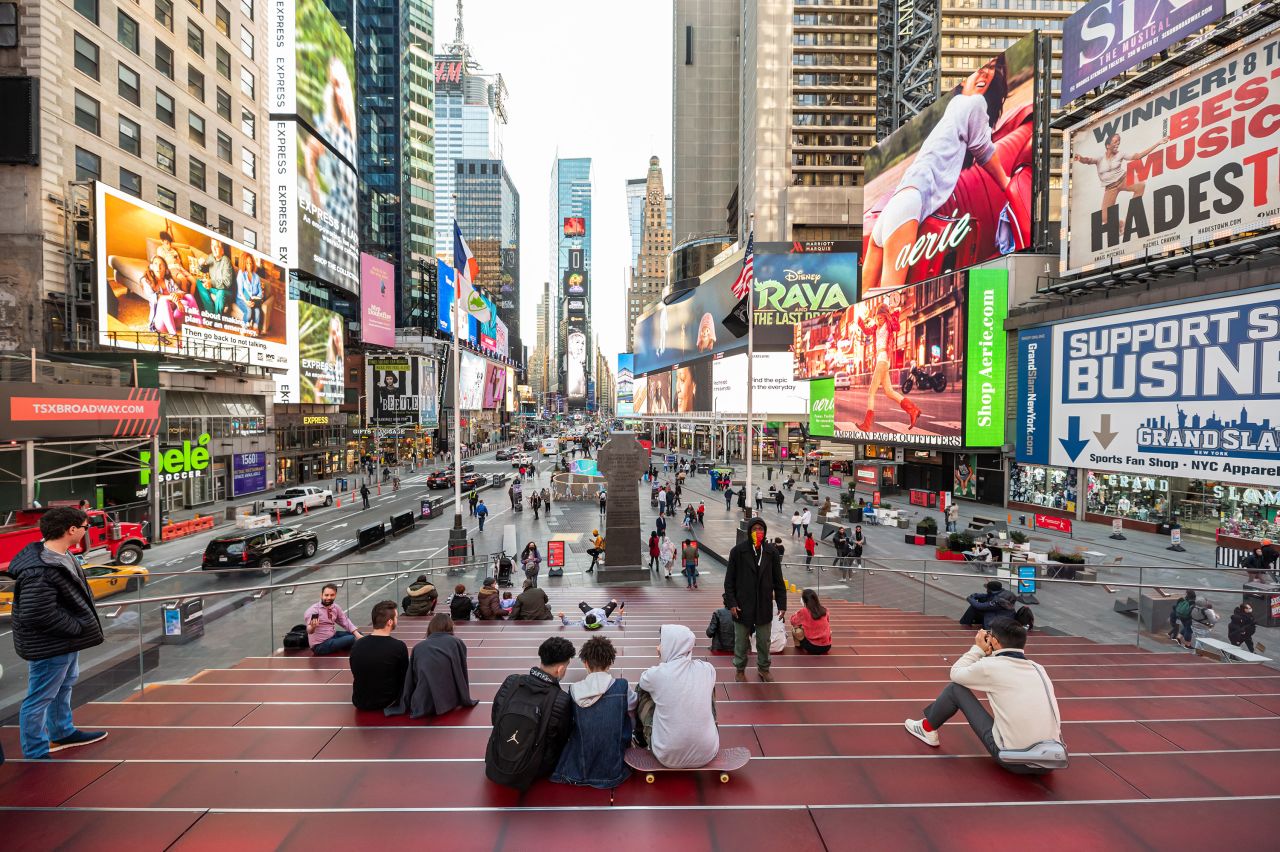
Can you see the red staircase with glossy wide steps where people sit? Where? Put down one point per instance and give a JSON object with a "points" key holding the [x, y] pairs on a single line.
{"points": [[271, 754]]}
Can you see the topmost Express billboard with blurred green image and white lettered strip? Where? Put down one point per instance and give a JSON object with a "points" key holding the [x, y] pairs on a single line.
{"points": [[313, 67]]}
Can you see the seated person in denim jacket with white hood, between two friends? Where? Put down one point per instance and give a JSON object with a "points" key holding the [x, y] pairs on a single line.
{"points": [[602, 722]]}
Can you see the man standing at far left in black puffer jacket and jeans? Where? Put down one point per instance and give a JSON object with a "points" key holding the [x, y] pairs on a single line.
{"points": [[54, 619]]}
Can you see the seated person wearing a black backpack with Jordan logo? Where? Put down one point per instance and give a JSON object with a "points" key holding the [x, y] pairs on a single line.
{"points": [[533, 720]]}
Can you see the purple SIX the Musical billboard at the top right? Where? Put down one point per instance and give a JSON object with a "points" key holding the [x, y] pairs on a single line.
{"points": [[1108, 38]]}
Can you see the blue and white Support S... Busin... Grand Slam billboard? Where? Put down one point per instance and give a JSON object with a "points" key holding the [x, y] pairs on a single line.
{"points": [[1186, 390]]}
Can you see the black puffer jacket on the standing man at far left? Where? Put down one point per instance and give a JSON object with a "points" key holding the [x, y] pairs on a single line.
{"points": [[53, 612]]}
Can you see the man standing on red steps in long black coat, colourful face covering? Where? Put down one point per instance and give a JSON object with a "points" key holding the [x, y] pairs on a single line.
{"points": [[753, 584]]}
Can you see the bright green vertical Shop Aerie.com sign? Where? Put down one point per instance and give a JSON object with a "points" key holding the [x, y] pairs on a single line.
{"points": [[985, 388]]}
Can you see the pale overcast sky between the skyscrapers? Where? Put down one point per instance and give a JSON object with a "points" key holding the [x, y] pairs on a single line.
{"points": [[591, 80]]}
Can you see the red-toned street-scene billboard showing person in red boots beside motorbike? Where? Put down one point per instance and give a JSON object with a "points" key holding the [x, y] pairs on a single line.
{"points": [[898, 361]]}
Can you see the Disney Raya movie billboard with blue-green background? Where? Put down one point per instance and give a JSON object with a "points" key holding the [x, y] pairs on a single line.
{"points": [[796, 282]]}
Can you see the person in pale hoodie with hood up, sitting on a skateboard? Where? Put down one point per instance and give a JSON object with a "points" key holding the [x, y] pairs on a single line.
{"points": [[678, 703]]}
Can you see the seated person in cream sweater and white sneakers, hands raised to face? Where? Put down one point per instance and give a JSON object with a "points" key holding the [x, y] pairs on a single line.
{"points": [[1025, 714]]}
